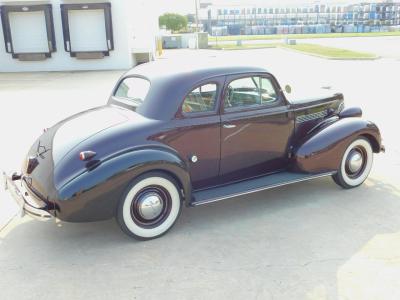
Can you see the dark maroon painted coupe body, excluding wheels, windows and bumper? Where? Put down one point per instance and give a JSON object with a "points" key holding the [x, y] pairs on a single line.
{"points": [[303, 138]]}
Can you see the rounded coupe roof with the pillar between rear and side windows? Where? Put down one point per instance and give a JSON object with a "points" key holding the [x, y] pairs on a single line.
{"points": [[171, 81]]}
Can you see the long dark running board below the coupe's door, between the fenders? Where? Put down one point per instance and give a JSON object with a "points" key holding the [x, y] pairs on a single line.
{"points": [[251, 186]]}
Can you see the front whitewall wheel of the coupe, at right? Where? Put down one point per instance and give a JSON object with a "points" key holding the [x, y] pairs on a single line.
{"points": [[355, 165]]}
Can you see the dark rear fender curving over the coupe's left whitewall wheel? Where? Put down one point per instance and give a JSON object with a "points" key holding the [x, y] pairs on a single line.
{"points": [[94, 194]]}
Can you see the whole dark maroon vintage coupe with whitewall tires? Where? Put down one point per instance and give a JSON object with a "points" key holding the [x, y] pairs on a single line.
{"points": [[172, 137]]}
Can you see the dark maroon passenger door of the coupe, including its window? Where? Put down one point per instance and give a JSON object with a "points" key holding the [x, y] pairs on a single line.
{"points": [[256, 125]]}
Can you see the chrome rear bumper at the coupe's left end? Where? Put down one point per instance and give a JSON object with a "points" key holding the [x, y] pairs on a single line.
{"points": [[28, 204]]}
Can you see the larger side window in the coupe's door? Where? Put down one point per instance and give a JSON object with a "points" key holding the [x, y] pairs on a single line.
{"points": [[248, 92]]}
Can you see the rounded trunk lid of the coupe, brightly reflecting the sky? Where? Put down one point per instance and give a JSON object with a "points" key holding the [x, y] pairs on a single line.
{"points": [[56, 142]]}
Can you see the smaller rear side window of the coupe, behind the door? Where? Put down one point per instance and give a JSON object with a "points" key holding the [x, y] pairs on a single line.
{"points": [[201, 99]]}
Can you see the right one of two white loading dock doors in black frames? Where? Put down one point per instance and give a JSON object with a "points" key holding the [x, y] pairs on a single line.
{"points": [[87, 30]]}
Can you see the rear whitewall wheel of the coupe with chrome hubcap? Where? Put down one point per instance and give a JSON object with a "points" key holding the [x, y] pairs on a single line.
{"points": [[150, 206]]}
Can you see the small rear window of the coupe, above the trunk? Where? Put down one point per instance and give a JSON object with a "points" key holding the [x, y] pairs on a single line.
{"points": [[132, 90]]}
